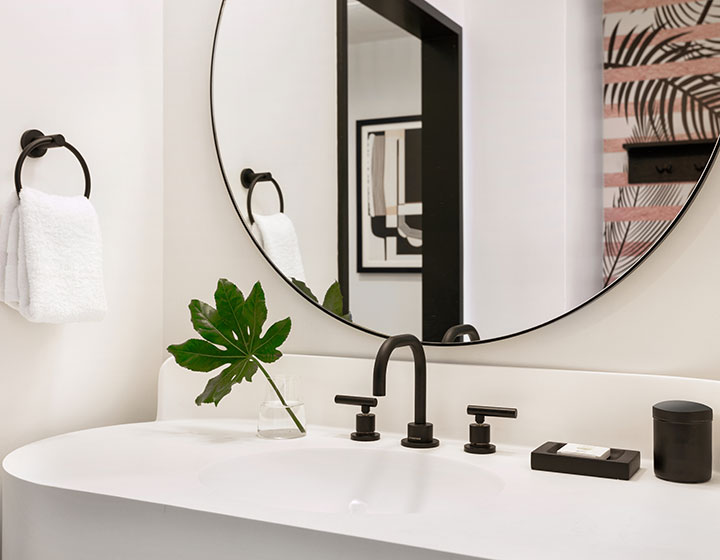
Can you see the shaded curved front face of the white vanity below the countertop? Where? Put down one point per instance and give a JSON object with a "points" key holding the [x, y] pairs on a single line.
{"points": [[47, 523]]}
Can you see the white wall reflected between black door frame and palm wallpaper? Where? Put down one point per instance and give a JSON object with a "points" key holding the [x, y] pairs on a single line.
{"points": [[533, 196]]}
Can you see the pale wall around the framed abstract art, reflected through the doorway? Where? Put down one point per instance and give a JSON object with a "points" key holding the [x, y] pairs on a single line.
{"points": [[384, 80]]}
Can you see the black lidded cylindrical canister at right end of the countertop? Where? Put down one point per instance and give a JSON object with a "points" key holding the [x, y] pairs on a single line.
{"points": [[682, 434]]}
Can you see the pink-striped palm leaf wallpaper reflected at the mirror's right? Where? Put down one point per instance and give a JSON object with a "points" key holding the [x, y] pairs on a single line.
{"points": [[661, 77]]}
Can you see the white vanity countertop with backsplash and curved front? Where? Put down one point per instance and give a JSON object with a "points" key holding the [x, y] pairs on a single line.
{"points": [[208, 487]]}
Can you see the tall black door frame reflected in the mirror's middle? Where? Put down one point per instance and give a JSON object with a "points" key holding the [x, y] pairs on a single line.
{"points": [[441, 108]]}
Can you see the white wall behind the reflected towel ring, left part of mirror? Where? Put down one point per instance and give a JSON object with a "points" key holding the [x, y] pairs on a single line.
{"points": [[296, 136]]}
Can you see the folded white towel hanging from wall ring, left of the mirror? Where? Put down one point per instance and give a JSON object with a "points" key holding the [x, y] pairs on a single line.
{"points": [[54, 272]]}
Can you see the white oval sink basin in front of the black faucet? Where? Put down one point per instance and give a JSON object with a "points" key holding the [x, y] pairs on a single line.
{"points": [[353, 481]]}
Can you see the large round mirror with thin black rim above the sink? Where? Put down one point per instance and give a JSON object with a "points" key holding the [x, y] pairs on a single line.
{"points": [[457, 168]]}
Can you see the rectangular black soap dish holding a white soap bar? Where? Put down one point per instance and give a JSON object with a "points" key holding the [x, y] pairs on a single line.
{"points": [[622, 463]]}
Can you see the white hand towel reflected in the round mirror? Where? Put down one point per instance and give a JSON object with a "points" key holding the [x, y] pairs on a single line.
{"points": [[276, 235]]}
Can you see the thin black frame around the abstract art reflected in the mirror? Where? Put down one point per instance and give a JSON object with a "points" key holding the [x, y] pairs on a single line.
{"points": [[359, 184]]}
